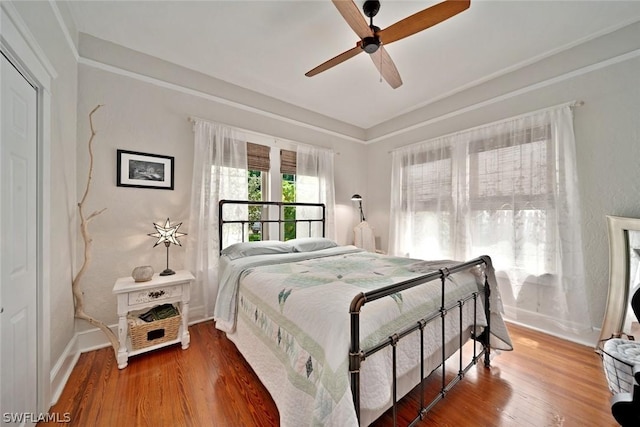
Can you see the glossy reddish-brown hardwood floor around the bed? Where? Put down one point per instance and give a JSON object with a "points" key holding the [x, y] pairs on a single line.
{"points": [[544, 382]]}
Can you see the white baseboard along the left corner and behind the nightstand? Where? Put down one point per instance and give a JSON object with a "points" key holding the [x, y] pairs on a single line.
{"points": [[90, 340]]}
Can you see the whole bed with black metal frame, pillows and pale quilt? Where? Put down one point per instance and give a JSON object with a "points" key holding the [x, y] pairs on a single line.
{"points": [[337, 334]]}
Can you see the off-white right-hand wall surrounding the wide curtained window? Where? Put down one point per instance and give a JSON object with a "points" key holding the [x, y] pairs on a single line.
{"points": [[605, 74]]}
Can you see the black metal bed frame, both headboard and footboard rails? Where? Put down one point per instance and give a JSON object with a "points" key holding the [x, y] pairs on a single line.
{"points": [[357, 355]]}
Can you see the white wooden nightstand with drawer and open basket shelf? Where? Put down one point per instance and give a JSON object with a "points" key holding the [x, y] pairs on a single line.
{"points": [[141, 295]]}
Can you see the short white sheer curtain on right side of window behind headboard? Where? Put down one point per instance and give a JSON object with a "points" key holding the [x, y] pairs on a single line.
{"points": [[314, 184]]}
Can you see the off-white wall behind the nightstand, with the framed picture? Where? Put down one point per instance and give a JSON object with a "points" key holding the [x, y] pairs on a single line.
{"points": [[143, 114]]}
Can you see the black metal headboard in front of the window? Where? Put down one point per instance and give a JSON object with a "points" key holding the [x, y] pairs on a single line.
{"points": [[272, 215]]}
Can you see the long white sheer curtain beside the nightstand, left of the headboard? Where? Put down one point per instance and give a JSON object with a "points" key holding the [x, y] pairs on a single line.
{"points": [[219, 172]]}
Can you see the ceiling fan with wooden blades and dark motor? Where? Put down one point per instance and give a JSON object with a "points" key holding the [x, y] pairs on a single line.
{"points": [[373, 39]]}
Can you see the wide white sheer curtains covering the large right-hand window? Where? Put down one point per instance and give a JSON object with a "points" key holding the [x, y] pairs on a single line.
{"points": [[508, 190]]}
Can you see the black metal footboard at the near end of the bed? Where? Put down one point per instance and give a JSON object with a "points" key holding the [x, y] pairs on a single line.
{"points": [[357, 355]]}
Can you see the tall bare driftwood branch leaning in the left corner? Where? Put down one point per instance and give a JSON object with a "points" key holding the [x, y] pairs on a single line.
{"points": [[78, 296]]}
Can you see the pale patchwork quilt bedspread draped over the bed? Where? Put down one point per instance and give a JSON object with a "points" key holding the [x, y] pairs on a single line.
{"points": [[299, 311]]}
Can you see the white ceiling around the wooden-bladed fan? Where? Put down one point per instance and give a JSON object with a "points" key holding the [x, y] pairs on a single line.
{"points": [[267, 46]]}
